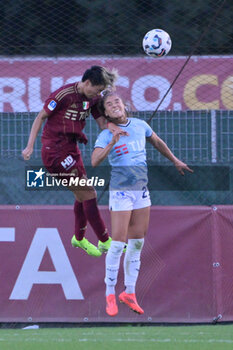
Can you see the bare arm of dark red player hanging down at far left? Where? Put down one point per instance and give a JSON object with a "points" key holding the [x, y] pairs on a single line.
{"points": [[36, 126]]}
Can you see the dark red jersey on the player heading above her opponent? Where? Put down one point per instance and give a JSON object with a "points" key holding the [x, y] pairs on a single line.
{"points": [[67, 110]]}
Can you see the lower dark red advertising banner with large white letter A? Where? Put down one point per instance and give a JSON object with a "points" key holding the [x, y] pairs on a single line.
{"points": [[186, 271]]}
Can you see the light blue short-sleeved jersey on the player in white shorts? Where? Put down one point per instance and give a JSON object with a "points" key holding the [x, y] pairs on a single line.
{"points": [[128, 155]]}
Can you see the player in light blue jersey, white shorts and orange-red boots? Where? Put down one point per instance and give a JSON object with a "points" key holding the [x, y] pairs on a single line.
{"points": [[129, 199]]}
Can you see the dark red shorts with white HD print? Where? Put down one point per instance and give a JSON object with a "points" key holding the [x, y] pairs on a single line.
{"points": [[60, 162]]}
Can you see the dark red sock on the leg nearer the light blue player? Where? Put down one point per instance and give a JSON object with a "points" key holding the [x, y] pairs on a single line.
{"points": [[95, 220]]}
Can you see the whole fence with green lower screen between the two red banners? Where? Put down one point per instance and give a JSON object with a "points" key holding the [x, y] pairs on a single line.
{"points": [[203, 139]]}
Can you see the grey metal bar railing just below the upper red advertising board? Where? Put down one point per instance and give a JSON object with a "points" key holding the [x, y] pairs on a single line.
{"points": [[203, 137]]}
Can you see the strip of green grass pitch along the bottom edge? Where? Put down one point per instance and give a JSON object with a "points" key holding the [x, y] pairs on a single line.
{"points": [[196, 337]]}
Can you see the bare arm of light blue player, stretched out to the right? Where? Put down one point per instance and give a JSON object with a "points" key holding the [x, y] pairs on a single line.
{"points": [[162, 147]]}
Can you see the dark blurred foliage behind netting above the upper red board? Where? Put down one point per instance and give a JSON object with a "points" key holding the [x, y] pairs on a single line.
{"points": [[86, 27]]}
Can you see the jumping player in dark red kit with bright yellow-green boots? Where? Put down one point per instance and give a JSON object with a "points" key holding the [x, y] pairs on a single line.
{"points": [[65, 112]]}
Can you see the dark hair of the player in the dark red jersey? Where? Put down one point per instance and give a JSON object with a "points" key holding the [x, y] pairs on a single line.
{"points": [[100, 76]]}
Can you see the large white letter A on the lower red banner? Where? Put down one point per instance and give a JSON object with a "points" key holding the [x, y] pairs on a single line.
{"points": [[46, 238]]}
